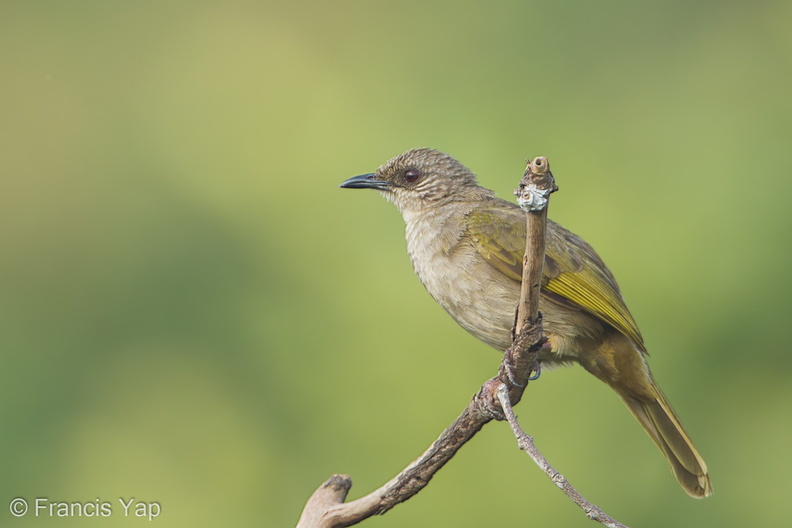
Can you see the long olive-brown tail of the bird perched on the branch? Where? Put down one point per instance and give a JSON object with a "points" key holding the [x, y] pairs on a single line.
{"points": [[664, 427]]}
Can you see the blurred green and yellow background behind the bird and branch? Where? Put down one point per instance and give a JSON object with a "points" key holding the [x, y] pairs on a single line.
{"points": [[192, 312]]}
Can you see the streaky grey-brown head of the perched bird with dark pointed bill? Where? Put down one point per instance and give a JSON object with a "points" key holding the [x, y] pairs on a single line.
{"points": [[420, 179]]}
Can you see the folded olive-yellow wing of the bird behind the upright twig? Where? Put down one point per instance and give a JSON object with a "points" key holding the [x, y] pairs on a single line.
{"points": [[571, 269]]}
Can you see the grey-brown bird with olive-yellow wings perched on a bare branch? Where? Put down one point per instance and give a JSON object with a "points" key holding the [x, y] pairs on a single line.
{"points": [[467, 246]]}
